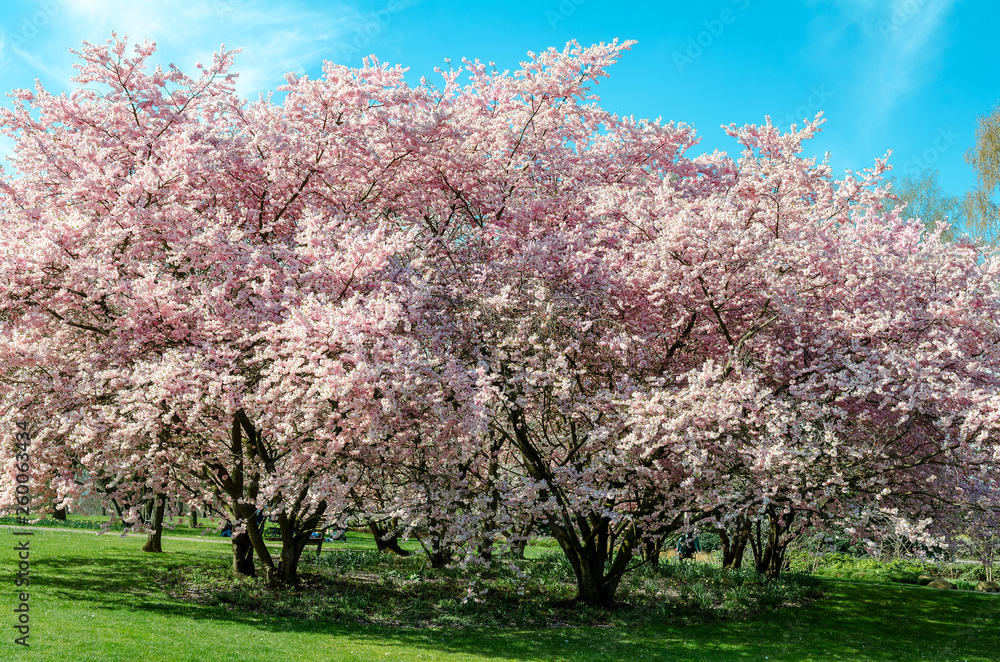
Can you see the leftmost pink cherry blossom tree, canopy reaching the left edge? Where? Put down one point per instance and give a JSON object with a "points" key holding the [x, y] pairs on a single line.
{"points": [[144, 251]]}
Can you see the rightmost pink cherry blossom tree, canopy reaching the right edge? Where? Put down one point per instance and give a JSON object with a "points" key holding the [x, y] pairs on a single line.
{"points": [[849, 350]]}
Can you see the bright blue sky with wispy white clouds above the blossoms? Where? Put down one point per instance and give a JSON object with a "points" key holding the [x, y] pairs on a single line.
{"points": [[911, 76]]}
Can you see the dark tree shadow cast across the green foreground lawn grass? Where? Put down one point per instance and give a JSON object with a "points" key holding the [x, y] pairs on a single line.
{"points": [[856, 620]]}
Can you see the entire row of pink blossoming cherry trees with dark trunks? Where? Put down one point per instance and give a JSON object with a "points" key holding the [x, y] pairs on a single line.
{"points": [[456, 311]]}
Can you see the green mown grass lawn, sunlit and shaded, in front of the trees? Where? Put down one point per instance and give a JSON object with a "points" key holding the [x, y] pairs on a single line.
{"points": [[98, 598]]}
